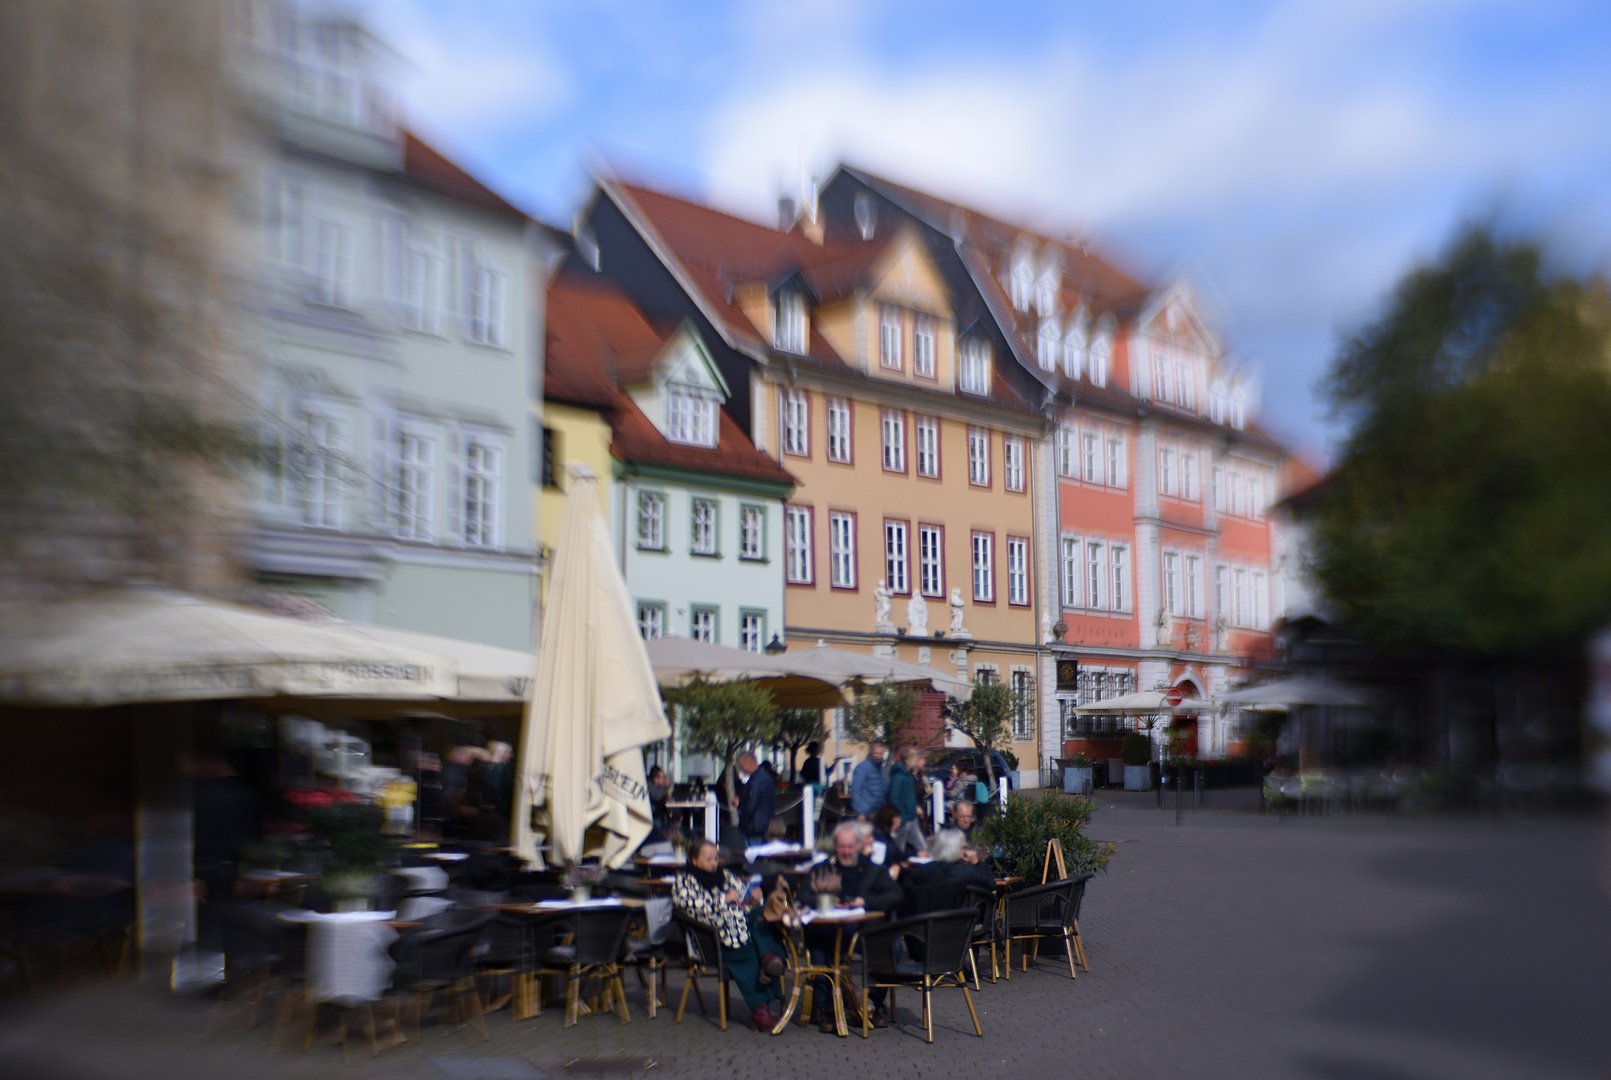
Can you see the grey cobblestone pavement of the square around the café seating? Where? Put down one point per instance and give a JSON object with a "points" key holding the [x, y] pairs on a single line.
{"points": [[1238, 945]]}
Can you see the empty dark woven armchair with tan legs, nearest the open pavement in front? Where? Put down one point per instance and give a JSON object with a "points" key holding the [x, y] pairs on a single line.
{"points": [[924, 952]]}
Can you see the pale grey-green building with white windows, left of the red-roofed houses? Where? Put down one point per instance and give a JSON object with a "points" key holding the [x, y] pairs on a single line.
{"points": [[402, 351]]}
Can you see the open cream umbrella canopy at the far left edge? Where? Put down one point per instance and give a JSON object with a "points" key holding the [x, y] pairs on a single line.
{"points": [[139, 644]]}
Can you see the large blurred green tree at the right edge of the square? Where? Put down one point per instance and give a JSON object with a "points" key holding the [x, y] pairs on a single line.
{"points": [[1472, 505]]}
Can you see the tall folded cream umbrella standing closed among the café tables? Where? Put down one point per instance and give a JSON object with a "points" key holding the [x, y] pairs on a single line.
{"points": [[595, 702]]}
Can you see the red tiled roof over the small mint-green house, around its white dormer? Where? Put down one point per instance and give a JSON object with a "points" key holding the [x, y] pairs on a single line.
{"points": [[598, 339]]}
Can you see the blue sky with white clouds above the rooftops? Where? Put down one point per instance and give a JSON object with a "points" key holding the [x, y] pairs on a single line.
{"points": [[1290, 160]]}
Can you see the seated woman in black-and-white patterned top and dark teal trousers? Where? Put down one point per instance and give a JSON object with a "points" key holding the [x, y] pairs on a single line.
{"points": [[750, 947]]}
